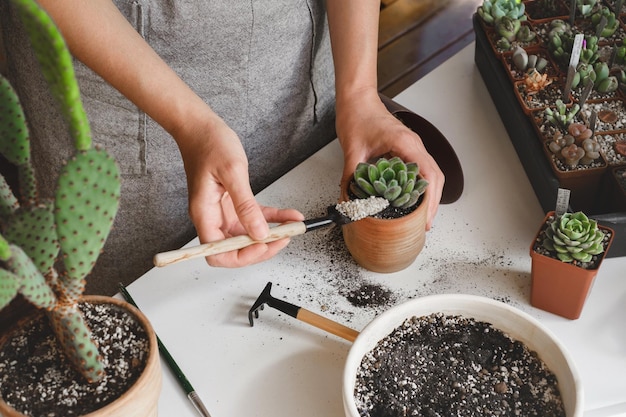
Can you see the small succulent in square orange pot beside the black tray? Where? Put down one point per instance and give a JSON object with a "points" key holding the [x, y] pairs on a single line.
{"points": [[566, 255]]}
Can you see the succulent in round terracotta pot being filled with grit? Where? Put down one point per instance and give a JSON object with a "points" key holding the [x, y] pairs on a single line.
{"points": [[390, 241]]}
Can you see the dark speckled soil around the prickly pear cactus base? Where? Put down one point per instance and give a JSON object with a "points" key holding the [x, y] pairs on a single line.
{"points": [[37, 380]]}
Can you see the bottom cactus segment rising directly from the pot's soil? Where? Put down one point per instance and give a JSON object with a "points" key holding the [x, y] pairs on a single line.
{"points": [[75, 337]]}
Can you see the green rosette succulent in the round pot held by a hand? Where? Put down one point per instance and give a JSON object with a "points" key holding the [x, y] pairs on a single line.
{"points": [[392, 179]]}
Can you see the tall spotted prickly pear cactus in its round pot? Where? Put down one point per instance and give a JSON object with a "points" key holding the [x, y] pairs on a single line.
{"points": [[48, 246]]}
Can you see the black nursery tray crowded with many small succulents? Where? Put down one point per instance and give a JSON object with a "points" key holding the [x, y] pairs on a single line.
{"points": [[566, 118]]}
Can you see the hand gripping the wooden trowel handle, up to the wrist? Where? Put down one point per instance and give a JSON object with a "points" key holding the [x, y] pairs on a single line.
{"points": [[221, 203]]}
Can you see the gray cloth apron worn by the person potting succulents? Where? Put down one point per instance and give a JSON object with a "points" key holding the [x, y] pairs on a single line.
{"points": [[264, 66]]}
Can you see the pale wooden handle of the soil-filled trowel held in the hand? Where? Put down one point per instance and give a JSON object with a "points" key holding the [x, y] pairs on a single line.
{"points": [[227, 245]]}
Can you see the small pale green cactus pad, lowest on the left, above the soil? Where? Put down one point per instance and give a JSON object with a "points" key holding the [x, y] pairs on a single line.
{"points": [[32, 284]]}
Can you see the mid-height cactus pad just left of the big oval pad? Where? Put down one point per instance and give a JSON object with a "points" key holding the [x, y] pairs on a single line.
{"points": [[33, 230]]}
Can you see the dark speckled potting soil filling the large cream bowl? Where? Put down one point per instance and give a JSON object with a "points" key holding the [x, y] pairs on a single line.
{"points": [[441, 365]]}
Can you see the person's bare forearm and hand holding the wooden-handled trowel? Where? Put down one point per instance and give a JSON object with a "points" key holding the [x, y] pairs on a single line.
{"points": [[221, 202]]}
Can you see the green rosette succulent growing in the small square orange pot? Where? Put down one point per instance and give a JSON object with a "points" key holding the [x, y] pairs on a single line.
{"points": [[574, 237]]}
